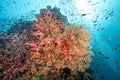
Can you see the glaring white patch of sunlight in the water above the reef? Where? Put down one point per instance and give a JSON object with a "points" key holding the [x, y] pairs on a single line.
{"points": [[86, 9]]}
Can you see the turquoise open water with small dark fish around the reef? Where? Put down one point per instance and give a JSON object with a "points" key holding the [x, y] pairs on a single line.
{"points": [[101, 17]]}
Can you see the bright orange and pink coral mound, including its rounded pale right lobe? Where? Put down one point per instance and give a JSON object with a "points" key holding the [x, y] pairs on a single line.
{"points": [[57, 47]]}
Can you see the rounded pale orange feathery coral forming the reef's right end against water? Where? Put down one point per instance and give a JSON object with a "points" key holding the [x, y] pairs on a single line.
{"points": [[78, 49]]}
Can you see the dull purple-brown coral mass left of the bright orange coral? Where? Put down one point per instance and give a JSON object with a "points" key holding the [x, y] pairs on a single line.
{"points": [[13, 52]]}
